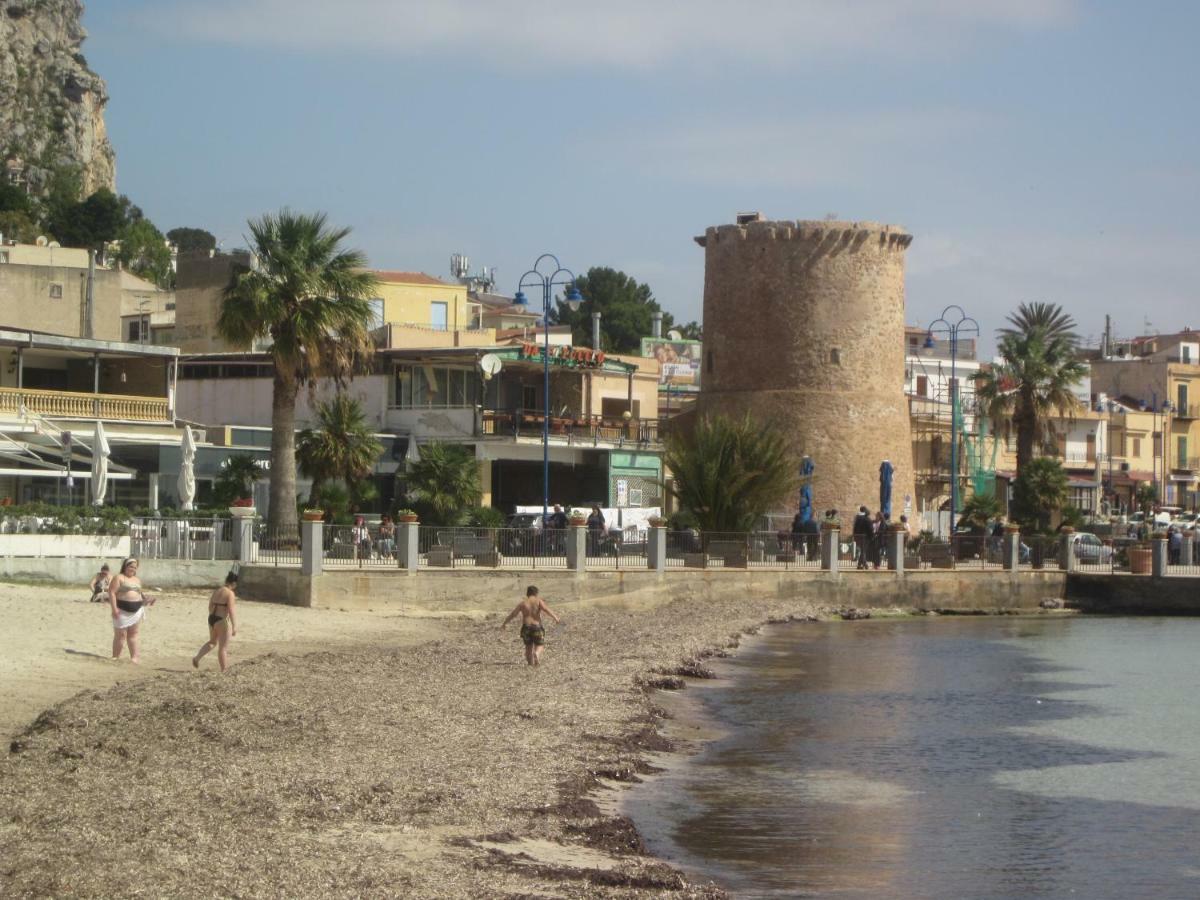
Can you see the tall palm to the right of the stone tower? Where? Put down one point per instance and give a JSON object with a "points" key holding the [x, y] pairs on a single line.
{"points": [[1034, 381]]}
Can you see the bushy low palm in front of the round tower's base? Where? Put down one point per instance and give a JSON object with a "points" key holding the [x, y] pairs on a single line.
{"points": [[728, 473]]}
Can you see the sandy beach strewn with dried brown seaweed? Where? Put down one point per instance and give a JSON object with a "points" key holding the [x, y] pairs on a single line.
{"points": [[392, 766]]}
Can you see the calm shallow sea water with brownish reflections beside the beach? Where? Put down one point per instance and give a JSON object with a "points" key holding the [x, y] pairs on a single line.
{"points": [[951, 758]]}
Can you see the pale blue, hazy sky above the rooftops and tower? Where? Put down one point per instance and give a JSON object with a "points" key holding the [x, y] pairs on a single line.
{"points": [[1036, 149]]}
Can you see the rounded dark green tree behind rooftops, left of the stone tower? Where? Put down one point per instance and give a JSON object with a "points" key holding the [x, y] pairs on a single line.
{"points": [[626, 311]]}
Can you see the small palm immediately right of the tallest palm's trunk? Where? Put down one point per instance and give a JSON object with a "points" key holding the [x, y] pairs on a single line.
{"points": [[343, 448]]}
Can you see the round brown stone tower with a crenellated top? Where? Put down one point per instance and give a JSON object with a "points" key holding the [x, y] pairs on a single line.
{"points": [[805, 331]]}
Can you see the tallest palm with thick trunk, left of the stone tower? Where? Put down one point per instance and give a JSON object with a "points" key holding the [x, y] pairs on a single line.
{"points": [[309, 297]]}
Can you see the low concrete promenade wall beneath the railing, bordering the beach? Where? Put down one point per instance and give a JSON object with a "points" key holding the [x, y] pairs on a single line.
{"points": [[476, 592]]}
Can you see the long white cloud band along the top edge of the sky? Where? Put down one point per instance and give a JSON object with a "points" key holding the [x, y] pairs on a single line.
{"points": [[643, 34]]}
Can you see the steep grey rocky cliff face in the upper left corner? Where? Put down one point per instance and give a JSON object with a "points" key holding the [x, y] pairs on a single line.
{"points": [[52, 106]]}
